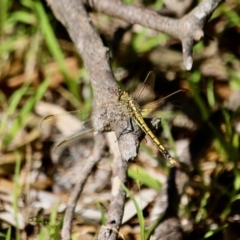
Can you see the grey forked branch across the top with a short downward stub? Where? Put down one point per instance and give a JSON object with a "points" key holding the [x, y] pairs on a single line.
{"points": [[188, 29]]}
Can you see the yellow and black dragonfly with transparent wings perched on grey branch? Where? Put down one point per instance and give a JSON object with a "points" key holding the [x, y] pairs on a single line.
{"points": [[133, 106]]}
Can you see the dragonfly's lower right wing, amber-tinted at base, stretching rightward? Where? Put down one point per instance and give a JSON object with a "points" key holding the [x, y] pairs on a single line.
{"points": [[152, 109]]}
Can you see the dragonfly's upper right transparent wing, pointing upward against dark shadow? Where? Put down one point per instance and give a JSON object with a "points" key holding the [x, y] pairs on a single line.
{"points": [[144, 93]]}
